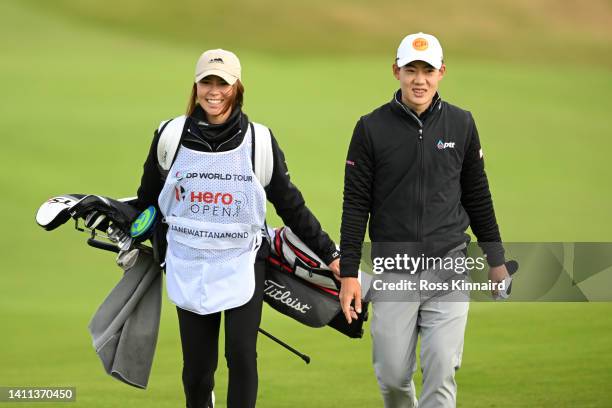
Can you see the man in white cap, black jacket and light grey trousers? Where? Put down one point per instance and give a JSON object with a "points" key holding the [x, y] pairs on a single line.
{"points": [[415, 170]]}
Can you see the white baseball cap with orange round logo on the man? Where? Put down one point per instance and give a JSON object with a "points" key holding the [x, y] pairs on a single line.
{"points": [[420, 47]]}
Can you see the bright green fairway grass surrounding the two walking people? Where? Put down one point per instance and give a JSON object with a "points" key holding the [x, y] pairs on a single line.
{"points": [[74, 91]]}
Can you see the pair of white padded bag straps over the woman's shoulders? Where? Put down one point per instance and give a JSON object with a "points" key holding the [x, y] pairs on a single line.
{"points": [[171, 131]]}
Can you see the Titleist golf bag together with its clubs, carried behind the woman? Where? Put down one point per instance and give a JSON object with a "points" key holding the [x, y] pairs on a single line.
{"points": [[298, 283]]}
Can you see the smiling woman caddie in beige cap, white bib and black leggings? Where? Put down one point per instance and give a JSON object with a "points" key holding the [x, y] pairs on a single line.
{"points": [[215, 255]]}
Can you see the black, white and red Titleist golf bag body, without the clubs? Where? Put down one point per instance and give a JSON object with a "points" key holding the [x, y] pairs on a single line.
{"points": [[298, 284]]}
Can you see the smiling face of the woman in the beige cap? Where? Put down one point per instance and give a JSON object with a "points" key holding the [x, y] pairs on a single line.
{"points": [[214, 95]]}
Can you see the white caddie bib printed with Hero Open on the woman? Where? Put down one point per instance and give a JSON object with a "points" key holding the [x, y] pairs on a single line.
{"points": [[215, 209]]}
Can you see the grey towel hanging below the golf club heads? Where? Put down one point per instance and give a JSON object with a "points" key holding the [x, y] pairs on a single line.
{"points": [[124, 329]]}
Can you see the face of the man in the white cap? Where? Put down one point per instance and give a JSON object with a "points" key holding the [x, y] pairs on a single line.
{"points": [[419, 83]]}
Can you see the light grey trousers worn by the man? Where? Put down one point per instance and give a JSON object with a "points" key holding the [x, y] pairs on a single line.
{"points": [[395, 328]]}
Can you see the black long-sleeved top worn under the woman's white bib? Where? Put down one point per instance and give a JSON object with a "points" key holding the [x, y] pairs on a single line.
{"points": [[281, 192]]}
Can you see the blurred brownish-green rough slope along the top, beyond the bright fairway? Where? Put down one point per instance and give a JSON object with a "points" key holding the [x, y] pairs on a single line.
{"points": [[507, 30]]}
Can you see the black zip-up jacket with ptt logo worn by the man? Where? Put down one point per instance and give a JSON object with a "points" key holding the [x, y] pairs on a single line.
{"points": [[418, 179]]}
